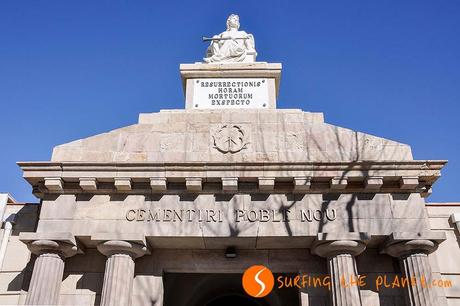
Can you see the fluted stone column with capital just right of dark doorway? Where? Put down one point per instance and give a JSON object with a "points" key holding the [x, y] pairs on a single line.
{"points": [[340, 253]]}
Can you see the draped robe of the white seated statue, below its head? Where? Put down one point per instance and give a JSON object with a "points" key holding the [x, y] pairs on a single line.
{"points": [[232, 50]]}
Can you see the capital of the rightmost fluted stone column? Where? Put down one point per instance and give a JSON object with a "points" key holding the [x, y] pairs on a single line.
{"points": [[400, 244]]}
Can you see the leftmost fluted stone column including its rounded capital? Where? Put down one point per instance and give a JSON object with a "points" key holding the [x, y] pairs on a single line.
{"points": [[45, 284]]}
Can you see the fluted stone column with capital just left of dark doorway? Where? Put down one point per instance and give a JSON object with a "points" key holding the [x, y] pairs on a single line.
{"points": [[119, 270]]}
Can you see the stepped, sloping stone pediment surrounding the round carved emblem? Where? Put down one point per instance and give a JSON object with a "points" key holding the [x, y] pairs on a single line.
{"points": [[292, 134]]}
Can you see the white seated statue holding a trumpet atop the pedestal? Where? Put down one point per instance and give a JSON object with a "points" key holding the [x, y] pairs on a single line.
{"points": [[232, 45]]}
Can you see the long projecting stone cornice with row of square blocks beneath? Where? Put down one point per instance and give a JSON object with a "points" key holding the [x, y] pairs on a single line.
{"points": [[344, 177]]}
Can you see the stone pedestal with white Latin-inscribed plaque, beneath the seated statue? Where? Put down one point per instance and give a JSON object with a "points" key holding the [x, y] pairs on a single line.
{"points": [[230, 85]]}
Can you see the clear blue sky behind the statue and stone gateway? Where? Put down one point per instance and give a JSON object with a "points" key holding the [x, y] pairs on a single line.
{"points": [[71, 69]]}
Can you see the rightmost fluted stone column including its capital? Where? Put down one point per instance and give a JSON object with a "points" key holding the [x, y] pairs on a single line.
{"points": [[412, 251]]}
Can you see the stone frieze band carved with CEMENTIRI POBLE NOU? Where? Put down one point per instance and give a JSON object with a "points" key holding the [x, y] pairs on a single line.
{"points": [[260, 216]]}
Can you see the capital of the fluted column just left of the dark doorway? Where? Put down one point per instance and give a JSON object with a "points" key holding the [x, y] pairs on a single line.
{"points": [[109, 244]]}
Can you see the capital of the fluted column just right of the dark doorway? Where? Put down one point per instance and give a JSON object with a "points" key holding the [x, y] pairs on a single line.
{"points": [[331, 244]]}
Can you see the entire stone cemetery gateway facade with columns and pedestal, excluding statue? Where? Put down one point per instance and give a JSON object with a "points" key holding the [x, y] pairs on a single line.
{"points": [[173, 209]]}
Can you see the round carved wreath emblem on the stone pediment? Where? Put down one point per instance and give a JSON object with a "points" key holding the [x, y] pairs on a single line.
{"points": [[230, 138]]}
